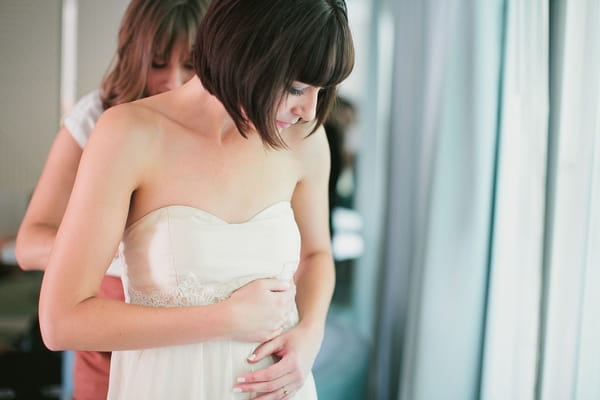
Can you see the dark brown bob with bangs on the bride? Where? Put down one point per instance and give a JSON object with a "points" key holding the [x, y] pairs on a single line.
{"points": [[249, 52]]}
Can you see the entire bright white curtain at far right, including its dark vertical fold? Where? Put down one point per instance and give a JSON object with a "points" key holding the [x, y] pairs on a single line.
{"points": [[543, 325]]}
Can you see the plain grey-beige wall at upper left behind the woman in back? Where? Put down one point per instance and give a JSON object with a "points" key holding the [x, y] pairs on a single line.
{"points": [[30, 49]]}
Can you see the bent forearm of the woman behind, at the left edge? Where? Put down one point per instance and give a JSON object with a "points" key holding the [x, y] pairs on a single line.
{"points": [[33, 246]]}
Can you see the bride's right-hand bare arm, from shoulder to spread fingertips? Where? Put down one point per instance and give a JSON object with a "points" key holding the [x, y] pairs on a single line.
{"points": [[315, 278]]}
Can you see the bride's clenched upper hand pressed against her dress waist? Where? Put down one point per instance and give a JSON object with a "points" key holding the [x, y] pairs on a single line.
{"points": [[260, 309]]}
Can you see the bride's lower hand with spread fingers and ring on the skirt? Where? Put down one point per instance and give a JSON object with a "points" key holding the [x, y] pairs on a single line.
{"points": [[296, 350]]}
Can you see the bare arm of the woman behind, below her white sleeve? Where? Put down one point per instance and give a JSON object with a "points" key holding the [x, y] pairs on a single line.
{"points": [[48, 203]]}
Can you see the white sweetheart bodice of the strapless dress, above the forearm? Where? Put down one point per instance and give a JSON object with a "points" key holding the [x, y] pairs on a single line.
{"points": [[181, 255]]}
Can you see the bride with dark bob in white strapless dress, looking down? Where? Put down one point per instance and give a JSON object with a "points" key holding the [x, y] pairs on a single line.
{"points": [[214, 188]]}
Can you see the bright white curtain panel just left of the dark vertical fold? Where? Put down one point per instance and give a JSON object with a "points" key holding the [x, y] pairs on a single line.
{"points": [[511, 336]]}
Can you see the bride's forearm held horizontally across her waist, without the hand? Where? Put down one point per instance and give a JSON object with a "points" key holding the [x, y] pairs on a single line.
{"points": [[108, 325]]}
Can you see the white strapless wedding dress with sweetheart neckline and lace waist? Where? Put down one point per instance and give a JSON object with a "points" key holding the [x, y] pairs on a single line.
{"points": [[183, 256]]}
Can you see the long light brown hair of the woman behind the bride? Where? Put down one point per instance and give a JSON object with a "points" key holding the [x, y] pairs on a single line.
{"points": [[149, 28]]}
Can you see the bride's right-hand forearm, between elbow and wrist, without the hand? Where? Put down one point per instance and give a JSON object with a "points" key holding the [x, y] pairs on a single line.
{"points": [[315, 282]]}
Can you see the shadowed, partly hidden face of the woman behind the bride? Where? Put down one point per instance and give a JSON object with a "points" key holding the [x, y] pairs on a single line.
{"points": [[170, 72]]}
